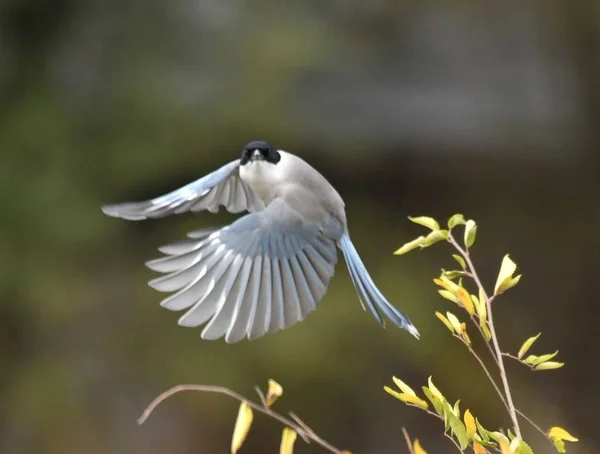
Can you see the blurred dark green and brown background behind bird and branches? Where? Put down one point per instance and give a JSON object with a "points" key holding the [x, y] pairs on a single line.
{"points": [[491, 109]]}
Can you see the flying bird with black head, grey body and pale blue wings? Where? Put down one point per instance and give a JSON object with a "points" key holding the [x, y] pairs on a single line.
{"points": [[269, 268]]}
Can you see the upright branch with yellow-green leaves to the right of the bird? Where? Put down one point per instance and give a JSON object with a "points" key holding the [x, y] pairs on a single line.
{"points": [[454, 286]]}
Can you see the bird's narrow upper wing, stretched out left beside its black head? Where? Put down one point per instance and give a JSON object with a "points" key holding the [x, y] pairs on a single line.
{"points": [[221, 187]]}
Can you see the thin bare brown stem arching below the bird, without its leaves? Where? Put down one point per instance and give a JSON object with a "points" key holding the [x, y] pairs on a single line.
{"points": [[303, 432]]}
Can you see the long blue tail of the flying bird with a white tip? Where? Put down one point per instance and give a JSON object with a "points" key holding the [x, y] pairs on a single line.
{"points": [[368, 293]]}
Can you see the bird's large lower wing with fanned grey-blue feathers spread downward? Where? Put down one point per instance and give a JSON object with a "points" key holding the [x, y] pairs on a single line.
{"points": [[264, 272]]}
